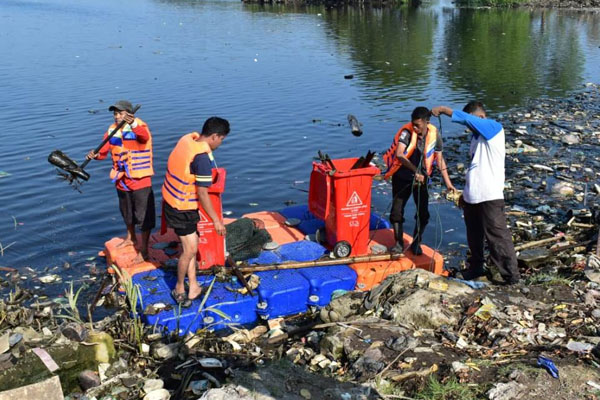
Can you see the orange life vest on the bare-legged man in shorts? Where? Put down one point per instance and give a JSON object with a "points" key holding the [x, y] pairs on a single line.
{"points": [[179, 188]]}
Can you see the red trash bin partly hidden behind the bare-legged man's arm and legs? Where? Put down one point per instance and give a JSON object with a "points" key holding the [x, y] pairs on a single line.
{"points": [[211, 246]]}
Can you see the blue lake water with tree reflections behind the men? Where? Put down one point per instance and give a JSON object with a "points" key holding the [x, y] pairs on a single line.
{"points": [[277, 73]]}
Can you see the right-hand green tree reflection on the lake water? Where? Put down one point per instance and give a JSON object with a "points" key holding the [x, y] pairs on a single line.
{"points": [[507, 56]]}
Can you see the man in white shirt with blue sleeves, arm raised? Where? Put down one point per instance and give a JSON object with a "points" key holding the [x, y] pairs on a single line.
{"points": [[483, 197]]}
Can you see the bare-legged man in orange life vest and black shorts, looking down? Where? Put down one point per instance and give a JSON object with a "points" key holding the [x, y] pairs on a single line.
{"points": [[185, 189]]}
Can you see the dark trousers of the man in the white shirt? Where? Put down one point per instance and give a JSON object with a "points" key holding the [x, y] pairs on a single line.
{"points": [[486, 221]]}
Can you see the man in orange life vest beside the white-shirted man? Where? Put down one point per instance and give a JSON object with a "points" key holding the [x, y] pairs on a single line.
{"points": [[416, 147]]}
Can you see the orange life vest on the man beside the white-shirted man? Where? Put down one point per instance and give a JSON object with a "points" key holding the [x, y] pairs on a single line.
{"points": [[393, 163]]}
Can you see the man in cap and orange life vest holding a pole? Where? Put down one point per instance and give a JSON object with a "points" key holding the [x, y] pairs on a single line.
{"points": [[131, 150]]}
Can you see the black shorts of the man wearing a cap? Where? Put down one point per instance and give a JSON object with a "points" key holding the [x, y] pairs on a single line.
{"points": [[137, 208]]}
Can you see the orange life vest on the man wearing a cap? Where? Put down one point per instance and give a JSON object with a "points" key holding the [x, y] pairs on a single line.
{"points": [[130, 157]]}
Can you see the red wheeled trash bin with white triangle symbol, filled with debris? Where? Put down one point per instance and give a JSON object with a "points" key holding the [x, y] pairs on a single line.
{"points": [[342, 198]]}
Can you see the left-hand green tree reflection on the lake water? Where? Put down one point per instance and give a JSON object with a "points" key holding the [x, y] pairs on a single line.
{"points": [[393, 46]]}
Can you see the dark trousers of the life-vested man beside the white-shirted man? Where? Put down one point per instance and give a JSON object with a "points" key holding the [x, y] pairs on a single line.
{"points": [[401, 190]]}
